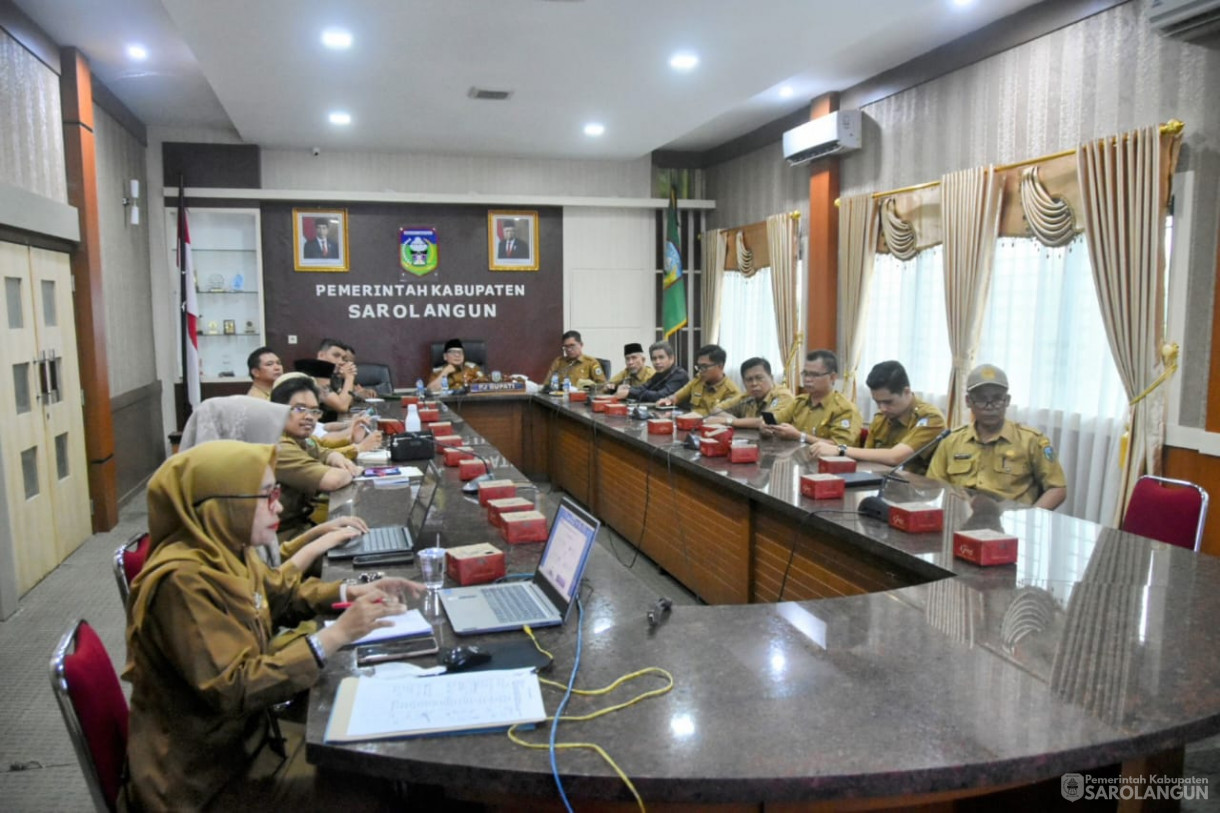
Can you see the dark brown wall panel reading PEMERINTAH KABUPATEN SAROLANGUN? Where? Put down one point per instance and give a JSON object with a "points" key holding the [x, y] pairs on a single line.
{"points": [[523, 334]]}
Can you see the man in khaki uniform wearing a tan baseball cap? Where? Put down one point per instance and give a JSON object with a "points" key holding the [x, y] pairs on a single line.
{"points": [[997, 456]]}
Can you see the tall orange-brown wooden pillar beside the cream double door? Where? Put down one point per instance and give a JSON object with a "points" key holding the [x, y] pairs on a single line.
{"points": [[80, 148]]}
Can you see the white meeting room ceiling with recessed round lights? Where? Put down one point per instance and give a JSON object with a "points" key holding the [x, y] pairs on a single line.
{"points": [[259, 67]]}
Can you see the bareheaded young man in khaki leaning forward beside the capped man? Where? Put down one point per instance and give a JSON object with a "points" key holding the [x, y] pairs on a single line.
{"points": [[902, 427]]}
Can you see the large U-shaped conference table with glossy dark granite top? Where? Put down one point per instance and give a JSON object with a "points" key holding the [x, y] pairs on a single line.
{"points": [[833, 660]]}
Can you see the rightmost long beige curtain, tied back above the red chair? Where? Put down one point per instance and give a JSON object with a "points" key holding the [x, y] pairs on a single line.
{"points": [[1124, 184]]}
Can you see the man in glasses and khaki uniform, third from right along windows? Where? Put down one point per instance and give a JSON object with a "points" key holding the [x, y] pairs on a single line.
{"points": [[820, 412]]}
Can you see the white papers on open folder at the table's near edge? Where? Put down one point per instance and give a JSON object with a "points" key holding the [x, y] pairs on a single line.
{"points": [[367, 709]]}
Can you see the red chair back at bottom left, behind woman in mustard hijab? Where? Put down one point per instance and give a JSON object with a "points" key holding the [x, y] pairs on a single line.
{"points": [[95, 710]]}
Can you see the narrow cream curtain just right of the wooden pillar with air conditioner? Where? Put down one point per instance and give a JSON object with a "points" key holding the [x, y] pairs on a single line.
{"points": [[858, 251]]}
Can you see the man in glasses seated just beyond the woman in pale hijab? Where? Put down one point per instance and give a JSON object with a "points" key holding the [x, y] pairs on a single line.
{"points": [[303, 468]]}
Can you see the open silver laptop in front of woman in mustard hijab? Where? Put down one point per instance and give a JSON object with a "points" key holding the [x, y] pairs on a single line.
{"points": [[546, 600]]}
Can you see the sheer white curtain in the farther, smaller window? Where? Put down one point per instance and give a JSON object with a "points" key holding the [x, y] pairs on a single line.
{"points": [[747, 322]]}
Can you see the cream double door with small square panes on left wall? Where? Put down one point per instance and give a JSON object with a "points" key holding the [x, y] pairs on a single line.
{"points": [[42, 422]]}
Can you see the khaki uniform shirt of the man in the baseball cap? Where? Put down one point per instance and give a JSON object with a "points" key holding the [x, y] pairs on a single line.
{"points": [[1019, 466]]}
